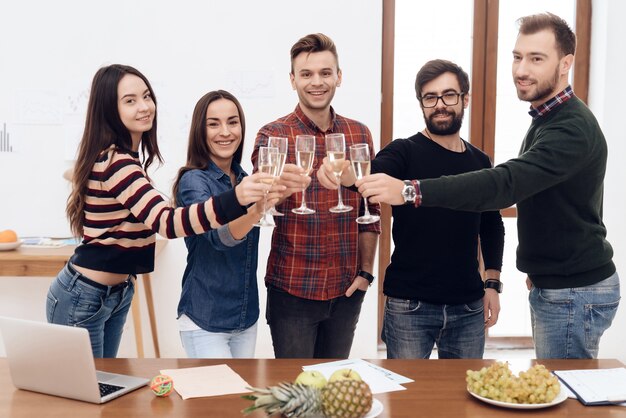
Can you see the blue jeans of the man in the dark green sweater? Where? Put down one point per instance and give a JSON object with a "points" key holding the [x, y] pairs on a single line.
{"points": [[568, 323]]}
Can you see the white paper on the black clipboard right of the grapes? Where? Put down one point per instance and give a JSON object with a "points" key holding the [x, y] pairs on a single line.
{"points": [[596, 385]]}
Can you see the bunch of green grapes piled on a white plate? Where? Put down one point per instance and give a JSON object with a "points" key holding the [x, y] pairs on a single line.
{"points": [[497, 382]]}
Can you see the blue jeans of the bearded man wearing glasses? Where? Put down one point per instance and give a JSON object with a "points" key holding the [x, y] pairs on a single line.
{"points": [[412, 327]]}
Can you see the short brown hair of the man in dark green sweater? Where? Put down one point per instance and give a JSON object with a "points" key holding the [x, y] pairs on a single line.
{"points": [[565, 37]]}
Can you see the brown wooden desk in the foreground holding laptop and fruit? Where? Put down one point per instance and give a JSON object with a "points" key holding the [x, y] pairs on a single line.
{"points": [[438, 391]]}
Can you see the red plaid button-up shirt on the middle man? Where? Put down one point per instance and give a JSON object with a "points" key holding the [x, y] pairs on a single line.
{"points": [[315, 256]]}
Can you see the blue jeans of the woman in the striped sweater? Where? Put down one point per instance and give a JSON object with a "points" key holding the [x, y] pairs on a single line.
{"points": [[102, 310]]}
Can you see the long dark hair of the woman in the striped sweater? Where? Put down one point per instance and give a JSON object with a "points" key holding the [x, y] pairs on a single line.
{"points": [[103, 128]]}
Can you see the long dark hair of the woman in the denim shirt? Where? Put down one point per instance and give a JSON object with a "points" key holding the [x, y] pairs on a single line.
{"points": [[198, 152]]}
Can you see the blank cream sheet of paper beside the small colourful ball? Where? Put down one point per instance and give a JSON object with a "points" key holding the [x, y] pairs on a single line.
{"points": [[198, 382]]}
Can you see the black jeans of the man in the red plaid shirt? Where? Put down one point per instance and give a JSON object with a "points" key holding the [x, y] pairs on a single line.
{"points": [[304, 328]]}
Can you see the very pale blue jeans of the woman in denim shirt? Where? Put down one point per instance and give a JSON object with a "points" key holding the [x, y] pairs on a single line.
{"points": [[205, 344]]}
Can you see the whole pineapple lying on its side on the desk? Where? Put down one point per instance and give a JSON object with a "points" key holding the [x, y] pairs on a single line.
{"points": [[341, 399]]}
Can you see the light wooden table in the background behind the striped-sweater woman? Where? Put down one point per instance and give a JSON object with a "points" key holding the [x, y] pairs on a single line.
{"points": [[47, 262]]}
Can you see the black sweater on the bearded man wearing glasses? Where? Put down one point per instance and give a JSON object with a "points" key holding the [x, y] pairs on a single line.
{"points": [[435, 258]]}
